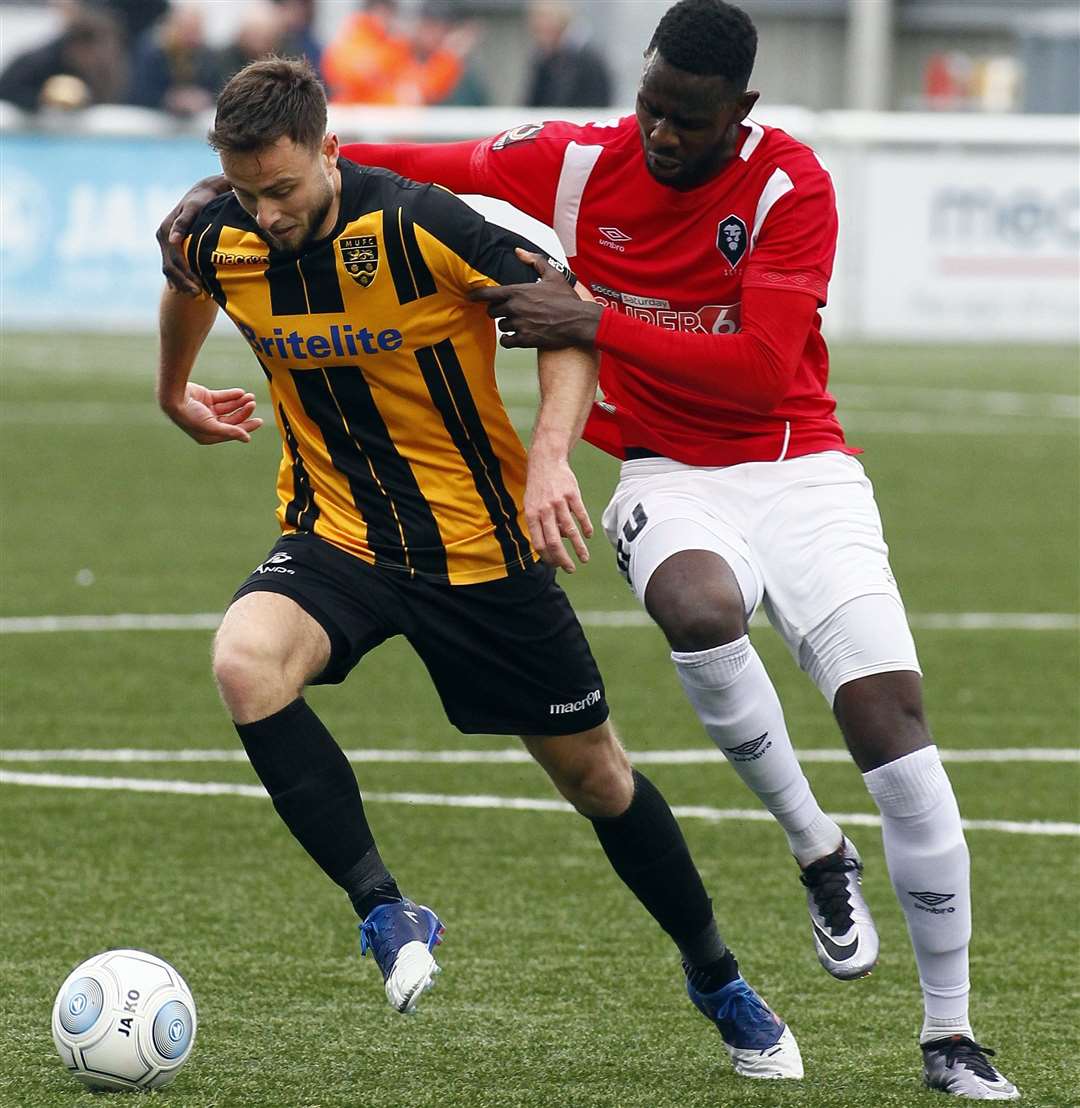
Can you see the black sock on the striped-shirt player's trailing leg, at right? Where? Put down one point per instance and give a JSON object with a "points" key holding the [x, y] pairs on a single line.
{"points": [[649, 853]]}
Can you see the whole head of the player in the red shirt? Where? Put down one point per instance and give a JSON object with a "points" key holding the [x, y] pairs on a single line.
{"points": [[694, 91]]}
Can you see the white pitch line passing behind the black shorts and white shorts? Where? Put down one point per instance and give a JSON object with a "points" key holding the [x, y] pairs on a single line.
{"points": [[626, 618]]}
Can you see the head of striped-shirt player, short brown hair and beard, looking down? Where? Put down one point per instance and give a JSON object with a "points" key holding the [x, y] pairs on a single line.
{"points": [[271, 134]]}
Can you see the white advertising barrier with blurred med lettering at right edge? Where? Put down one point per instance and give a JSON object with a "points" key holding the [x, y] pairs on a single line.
{"points": [[969, 247]]}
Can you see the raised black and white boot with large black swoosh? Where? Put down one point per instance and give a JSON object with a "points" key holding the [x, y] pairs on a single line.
{"points": [[845, 933]]}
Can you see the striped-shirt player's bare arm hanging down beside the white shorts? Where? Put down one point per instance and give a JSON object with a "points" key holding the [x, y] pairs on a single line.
{"points": [[554, 509]]}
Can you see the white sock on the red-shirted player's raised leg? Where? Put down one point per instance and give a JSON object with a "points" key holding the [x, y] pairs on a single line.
{"points": [[736, 702]]}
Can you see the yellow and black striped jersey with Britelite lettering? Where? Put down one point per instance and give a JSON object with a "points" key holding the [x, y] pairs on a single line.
{"points": [[396, 444]]}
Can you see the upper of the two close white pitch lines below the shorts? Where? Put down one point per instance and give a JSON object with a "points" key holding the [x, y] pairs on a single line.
{"points": [[515, 756]]}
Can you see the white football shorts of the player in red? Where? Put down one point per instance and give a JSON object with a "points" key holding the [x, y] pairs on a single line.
{"points": [[804, 538]]}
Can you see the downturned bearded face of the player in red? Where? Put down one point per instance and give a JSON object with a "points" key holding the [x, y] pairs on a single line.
{"points": [[690, 124]]}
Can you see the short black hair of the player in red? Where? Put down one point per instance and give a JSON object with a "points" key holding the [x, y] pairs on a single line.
{"points": [[711, 38]]}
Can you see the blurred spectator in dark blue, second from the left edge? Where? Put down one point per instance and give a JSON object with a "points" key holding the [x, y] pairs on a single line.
{"points": [[173, 69]]}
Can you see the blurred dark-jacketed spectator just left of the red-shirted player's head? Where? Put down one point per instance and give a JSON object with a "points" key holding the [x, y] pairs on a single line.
{"points": [[568, 73]]}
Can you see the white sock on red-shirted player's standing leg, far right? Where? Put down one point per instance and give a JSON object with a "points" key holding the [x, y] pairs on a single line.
{"points": [[929, 864]]}
